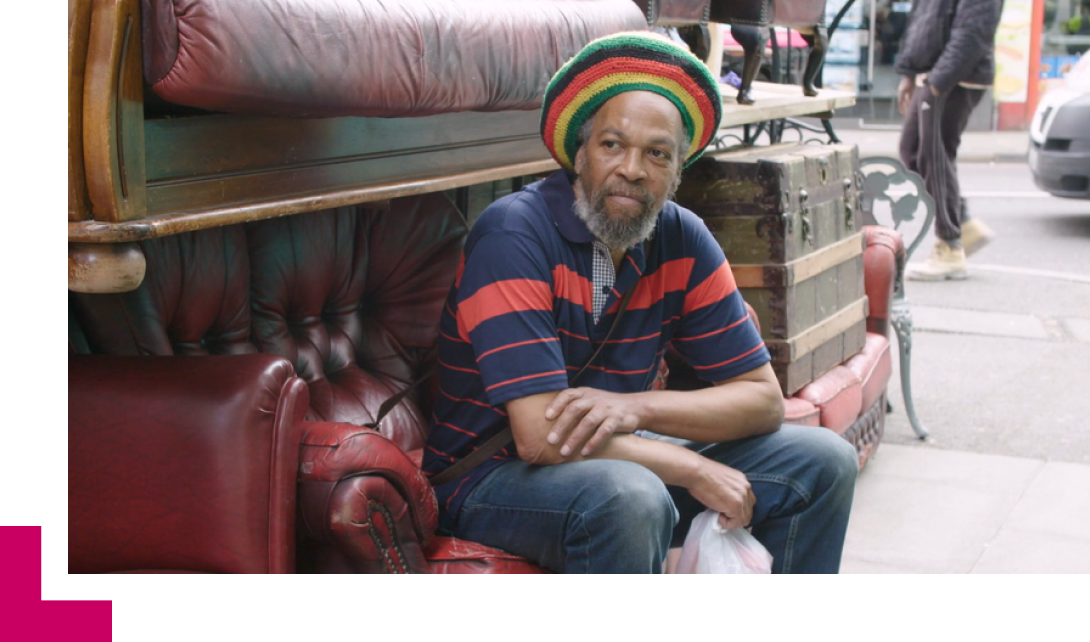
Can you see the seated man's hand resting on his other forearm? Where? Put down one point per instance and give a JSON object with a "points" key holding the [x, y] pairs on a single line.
{"points": [[586, 419]]}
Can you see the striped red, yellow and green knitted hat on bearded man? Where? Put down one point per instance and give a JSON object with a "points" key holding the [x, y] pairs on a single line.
{"points": [[635, 62]]}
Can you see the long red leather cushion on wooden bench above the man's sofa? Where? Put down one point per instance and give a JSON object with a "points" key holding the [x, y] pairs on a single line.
{"points": [[331, 58]]}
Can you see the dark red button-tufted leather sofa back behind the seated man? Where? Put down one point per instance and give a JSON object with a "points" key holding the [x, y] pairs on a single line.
{"points": [[350, 297]]}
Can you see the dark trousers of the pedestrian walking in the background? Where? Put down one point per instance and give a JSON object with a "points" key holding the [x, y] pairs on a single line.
{"points": [[929, 144]]}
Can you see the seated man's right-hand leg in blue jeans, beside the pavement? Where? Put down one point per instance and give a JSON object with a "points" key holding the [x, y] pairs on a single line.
{"points": [[805, 483]]}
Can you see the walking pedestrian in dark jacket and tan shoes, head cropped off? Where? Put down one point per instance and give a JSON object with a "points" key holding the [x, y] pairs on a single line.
{"points": [[947, 63]]}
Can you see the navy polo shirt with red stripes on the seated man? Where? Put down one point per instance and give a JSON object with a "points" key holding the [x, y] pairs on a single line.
{"points": [[520, 320]]}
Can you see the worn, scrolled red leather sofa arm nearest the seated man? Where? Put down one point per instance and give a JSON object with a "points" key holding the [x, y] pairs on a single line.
{"points": [[365, 505]]}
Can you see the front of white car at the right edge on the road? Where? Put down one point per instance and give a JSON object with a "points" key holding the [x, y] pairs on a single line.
{"points": [[1060, 155]]}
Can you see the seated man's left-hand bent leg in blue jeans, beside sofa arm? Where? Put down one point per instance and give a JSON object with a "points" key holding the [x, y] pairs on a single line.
{"points": [[595, 518]]}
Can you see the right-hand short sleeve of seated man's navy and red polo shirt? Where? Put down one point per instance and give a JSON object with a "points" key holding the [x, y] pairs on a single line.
{"points": [[717, 335]]}
